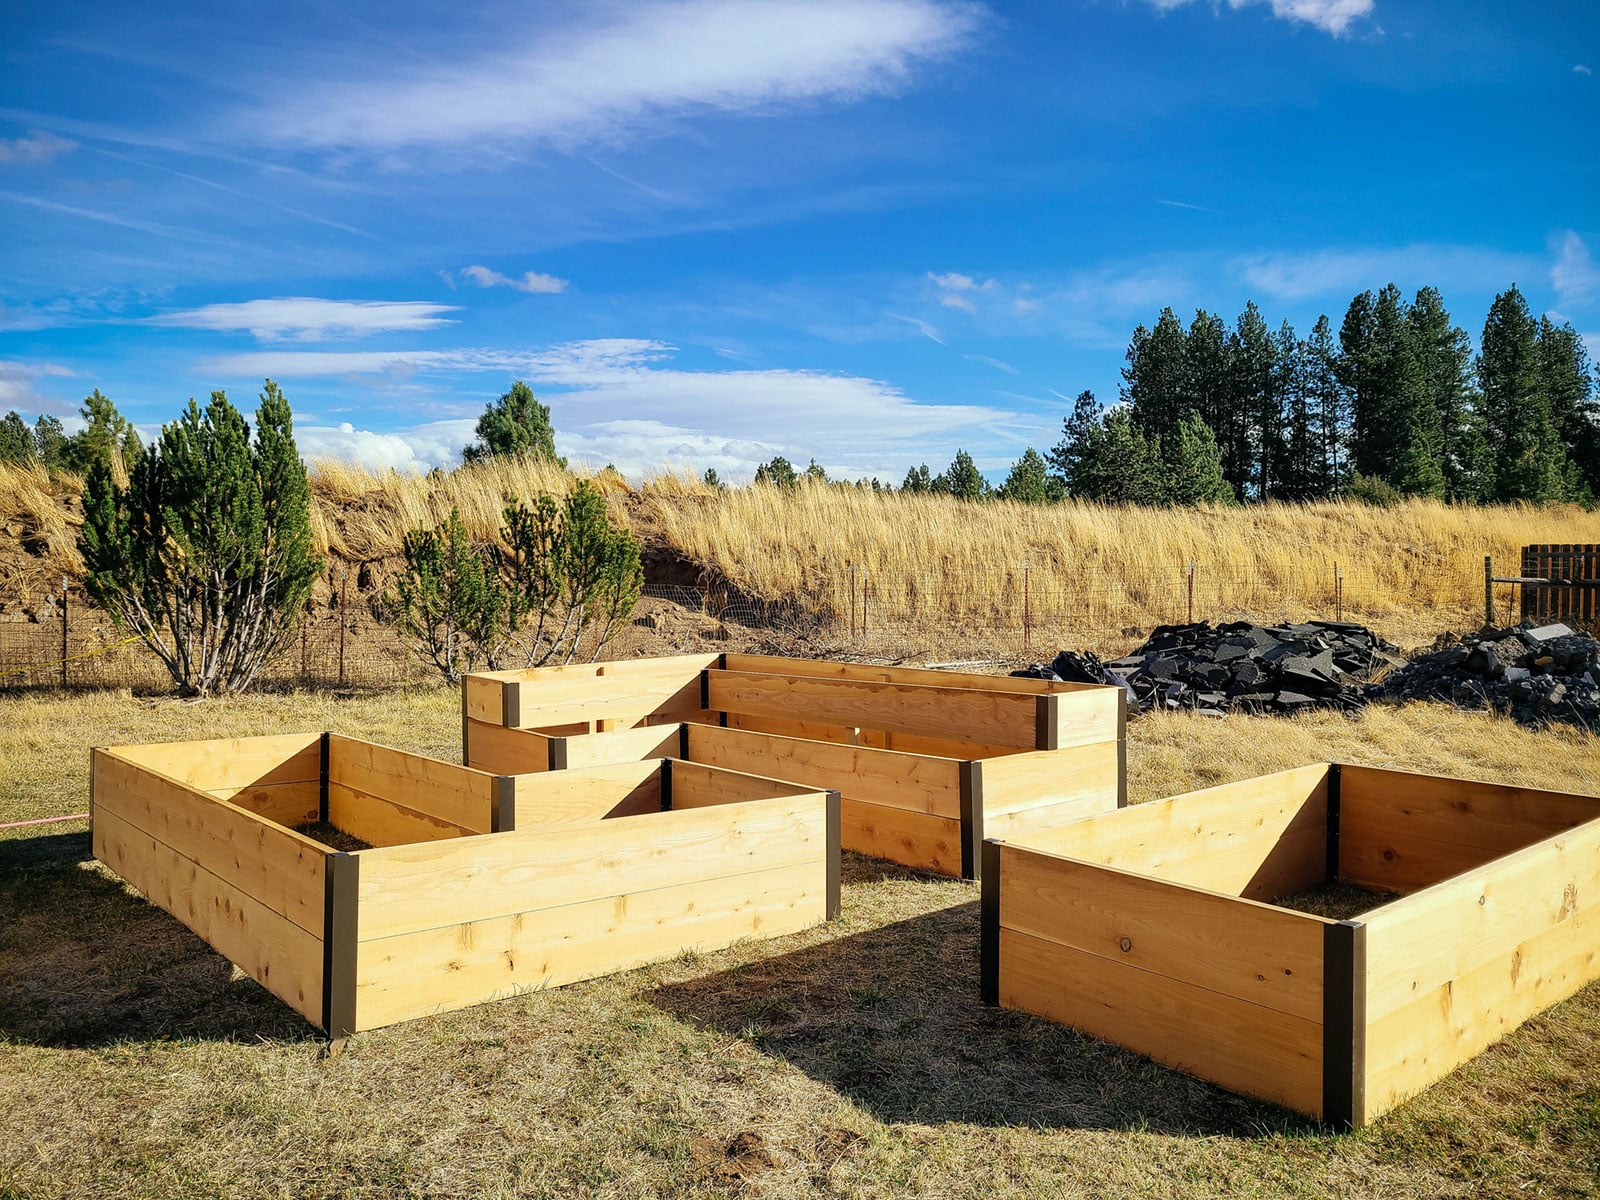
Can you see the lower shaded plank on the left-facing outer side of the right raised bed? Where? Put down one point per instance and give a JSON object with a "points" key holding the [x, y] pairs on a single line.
{"points": [[1218, 1038]]}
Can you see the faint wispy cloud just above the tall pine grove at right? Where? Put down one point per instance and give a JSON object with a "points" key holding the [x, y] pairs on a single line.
{"points": [[1345, 273]]}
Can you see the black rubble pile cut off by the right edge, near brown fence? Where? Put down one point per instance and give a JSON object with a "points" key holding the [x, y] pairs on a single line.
{"points": [[1534, 674]]}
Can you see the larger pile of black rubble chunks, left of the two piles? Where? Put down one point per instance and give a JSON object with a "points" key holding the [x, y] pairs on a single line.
{"points": [[1238, 666]]}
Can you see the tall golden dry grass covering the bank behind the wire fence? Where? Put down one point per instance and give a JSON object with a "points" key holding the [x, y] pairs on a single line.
{"points": [[937, 561]]}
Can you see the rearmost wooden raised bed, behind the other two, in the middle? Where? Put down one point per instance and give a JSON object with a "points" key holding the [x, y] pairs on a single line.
{"points": [[929, 762]]}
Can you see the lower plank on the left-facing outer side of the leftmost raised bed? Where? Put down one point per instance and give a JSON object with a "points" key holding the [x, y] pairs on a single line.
{"points": [[270, 948]]}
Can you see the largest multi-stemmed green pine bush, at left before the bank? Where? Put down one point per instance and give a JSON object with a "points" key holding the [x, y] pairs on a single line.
{"points": [[207, 554]]}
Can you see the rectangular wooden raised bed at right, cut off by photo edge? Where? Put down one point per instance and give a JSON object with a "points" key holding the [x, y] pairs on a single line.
{"points": [[1156, 929]]}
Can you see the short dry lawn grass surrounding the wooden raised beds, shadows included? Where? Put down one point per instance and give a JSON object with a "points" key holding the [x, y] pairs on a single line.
{"points": [[847, 1062]]}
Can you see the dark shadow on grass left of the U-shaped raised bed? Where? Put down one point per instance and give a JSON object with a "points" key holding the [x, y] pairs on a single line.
{"points": [[84, 962]]}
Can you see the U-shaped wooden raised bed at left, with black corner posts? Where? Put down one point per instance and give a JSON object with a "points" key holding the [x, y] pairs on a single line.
{"points": [[476, 886]]}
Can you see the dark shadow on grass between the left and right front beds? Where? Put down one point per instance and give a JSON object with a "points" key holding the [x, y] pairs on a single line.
{"points": [[890, 1018]]}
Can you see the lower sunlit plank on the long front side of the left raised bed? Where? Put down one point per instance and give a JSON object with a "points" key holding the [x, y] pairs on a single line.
{"points": [[436, 970]]}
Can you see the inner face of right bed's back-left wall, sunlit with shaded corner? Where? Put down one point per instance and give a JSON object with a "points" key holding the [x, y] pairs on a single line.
{"points": [[1262, 838]]}
